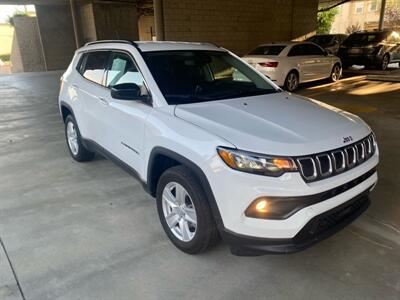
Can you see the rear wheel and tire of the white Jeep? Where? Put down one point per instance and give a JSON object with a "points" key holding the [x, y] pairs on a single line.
{"points": [[74, 141]]}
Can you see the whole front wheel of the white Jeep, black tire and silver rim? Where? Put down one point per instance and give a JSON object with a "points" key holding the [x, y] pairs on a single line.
{"points": [[200, 235]]}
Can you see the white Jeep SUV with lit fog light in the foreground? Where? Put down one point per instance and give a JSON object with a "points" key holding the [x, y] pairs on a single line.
{"points": [[224, 150]]}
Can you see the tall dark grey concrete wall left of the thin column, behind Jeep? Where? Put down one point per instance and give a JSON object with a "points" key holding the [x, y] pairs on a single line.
{"points": [[57, 35]]}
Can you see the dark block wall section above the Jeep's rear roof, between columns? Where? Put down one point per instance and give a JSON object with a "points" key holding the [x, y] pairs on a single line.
{"points": [[115, 21]]}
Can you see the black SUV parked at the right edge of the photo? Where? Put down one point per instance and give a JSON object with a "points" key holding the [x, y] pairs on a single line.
{"points": [[371, 49]]}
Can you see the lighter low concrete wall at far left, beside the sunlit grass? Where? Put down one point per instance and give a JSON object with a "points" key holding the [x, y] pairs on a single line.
{"points": [[26, 55]]}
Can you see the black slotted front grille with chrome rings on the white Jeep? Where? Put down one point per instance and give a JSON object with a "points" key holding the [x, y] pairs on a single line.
{"points": [[327, 164]]}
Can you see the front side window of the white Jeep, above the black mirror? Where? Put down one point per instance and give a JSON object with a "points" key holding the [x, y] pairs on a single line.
{"points": [[122, 69]]}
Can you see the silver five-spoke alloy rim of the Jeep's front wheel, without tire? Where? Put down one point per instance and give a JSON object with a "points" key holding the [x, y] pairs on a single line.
{"points": [[179, 211]]}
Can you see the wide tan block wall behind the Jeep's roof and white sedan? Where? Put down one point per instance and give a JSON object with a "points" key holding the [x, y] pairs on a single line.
{"points": [[236, 24]]}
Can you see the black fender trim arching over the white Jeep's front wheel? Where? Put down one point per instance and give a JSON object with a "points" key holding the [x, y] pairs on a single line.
{"points": [[197, 171]]}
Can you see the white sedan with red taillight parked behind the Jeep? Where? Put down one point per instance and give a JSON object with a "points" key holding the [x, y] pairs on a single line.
{"points": [[291, 63]]}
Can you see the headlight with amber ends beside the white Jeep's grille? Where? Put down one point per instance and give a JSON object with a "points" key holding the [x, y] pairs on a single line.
{"points": [[256, 163]]}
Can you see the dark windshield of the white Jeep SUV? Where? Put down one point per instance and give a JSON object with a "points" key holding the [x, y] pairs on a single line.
{"points": [[198, 76]]}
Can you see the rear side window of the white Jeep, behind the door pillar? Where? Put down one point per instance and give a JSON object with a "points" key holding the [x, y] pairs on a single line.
{"points": [[94, 66]]}
